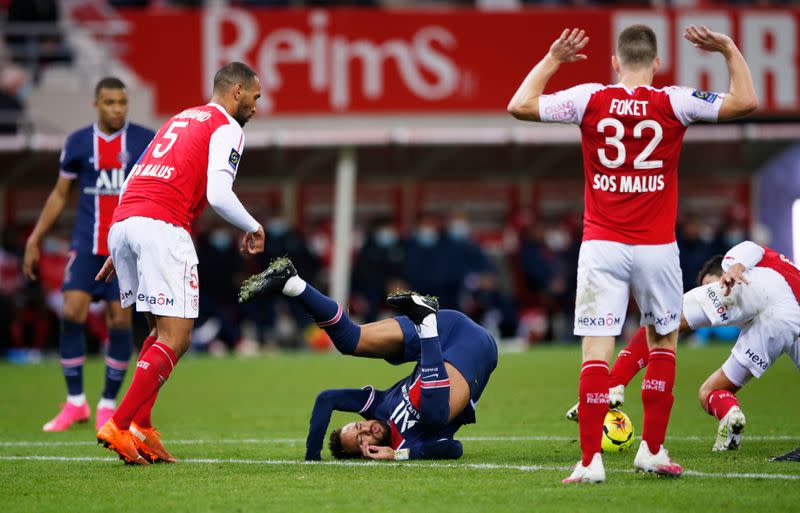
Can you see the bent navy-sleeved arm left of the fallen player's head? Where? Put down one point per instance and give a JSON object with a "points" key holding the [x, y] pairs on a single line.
{"points": [[348, 399]]}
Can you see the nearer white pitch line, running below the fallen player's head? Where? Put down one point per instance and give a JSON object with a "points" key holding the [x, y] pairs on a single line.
{"points": [[472, 466]]}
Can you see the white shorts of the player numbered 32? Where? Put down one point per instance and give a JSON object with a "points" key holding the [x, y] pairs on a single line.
{"points": [[608, 272]]}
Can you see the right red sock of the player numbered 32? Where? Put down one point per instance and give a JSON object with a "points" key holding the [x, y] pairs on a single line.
{"points": [[657, 398]]}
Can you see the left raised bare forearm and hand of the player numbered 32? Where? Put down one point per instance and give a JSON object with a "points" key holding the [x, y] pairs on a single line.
{"points": [[525, 103]]}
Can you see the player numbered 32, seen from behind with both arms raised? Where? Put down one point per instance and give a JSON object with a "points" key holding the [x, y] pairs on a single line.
{"points": [[631, 137]]}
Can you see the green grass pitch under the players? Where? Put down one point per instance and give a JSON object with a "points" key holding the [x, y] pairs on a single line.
{"points": [[240, 426]]}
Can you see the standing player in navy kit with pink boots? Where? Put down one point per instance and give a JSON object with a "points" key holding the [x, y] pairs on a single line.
{"points": [[98, 157]]}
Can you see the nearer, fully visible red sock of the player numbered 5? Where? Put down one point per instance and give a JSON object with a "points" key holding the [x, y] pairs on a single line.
{"points": [[152, 370]]}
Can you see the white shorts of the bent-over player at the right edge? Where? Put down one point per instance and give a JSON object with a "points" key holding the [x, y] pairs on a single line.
{"points": [[767, 337]]}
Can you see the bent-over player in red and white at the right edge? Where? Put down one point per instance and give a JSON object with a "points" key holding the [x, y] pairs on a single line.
{"points": [[764, 305]]}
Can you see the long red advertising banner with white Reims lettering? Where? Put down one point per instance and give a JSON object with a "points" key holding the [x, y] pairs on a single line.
{"points": [[364, 61]]}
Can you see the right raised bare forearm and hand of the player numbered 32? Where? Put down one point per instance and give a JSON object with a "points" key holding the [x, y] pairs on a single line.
{"points": [[741, 98]]}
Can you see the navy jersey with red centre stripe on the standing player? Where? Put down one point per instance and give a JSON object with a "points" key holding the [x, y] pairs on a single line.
{"points": [[99, 163]]}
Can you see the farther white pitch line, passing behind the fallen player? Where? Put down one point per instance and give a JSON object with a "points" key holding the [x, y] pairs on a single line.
{"points": [[267, 441]]}
